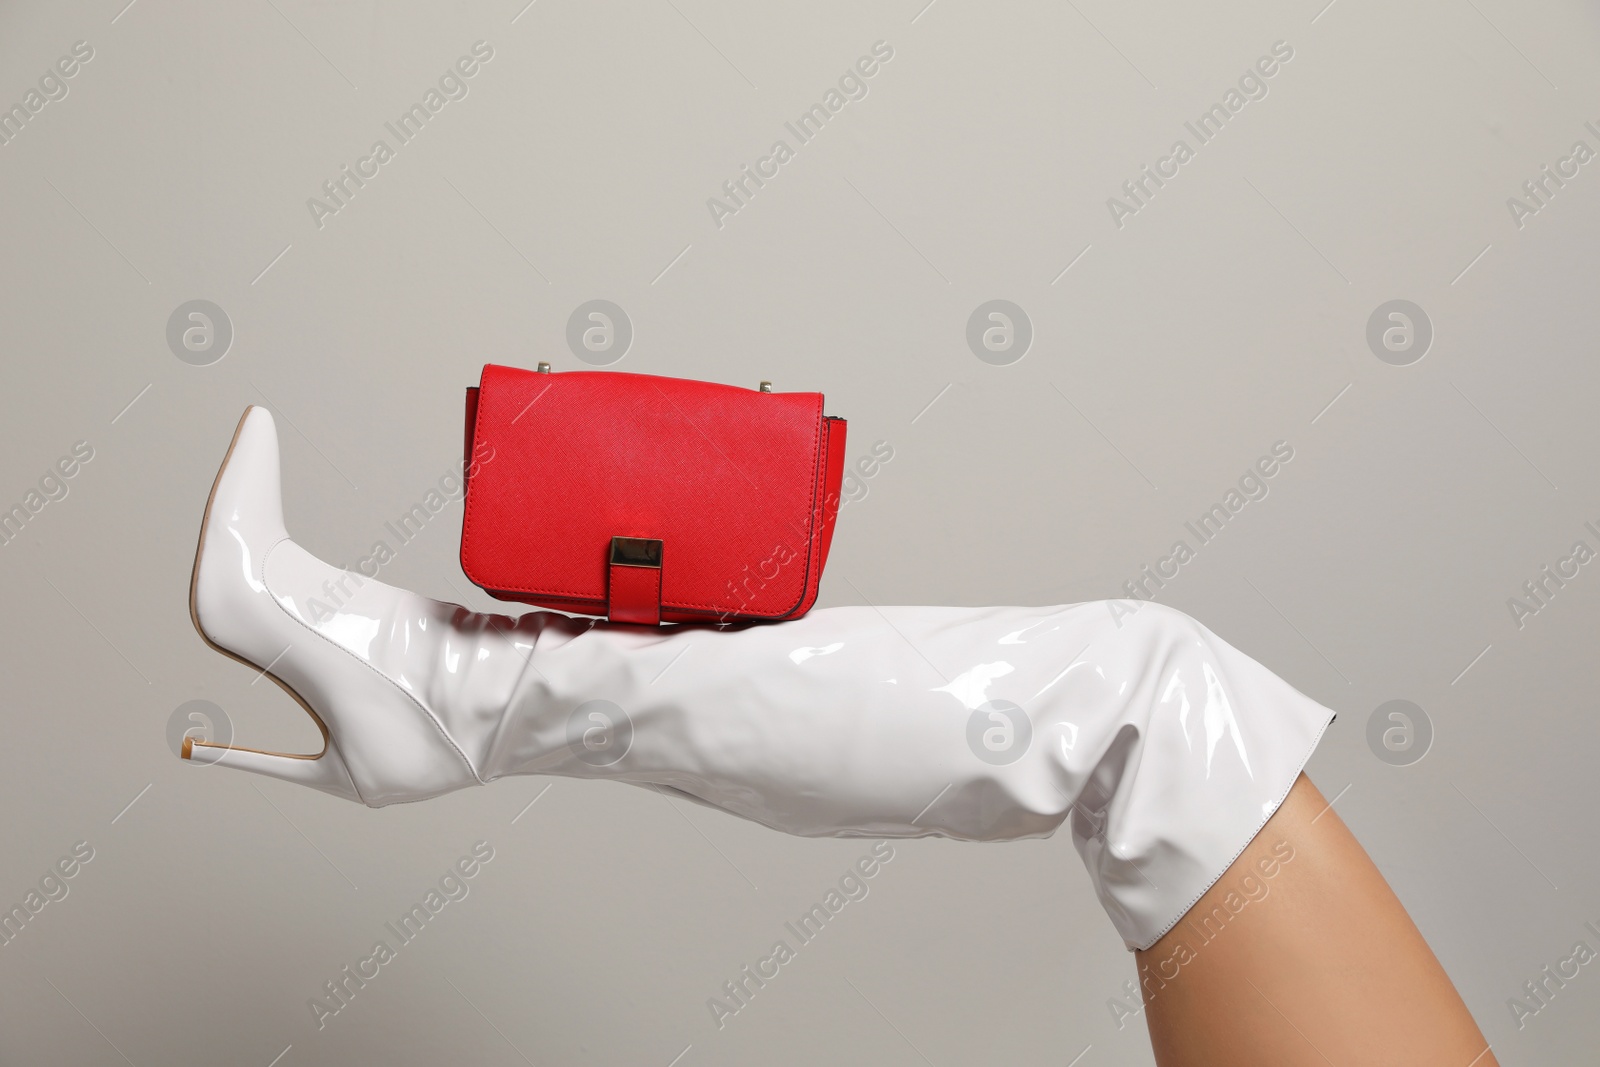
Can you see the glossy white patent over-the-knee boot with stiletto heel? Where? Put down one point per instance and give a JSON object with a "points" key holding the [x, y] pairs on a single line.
{"points": [[1169, 748]]}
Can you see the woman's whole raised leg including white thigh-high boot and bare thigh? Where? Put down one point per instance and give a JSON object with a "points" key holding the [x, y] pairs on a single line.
{"points": [[1162, 748]]}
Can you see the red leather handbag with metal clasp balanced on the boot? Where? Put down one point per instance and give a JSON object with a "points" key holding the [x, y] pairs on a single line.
{"points": [[649, 500]]}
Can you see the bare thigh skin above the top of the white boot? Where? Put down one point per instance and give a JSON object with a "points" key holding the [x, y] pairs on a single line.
{"points": [[1303, 956]]}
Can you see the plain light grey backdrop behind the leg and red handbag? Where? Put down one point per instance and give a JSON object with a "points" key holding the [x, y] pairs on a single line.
{"points": [[1226, 316]]}
